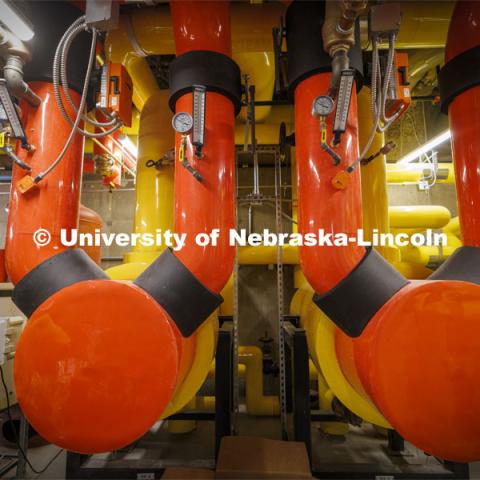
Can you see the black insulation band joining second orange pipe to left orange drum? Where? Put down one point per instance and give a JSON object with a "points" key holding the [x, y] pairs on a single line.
{"points": [[188, 302]]}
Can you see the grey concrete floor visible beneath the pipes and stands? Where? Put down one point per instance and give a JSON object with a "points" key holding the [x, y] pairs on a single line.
{"points": [[363, 449]]}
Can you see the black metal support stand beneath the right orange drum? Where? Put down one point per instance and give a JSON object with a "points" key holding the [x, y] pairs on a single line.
{"points": [[298, 402]]}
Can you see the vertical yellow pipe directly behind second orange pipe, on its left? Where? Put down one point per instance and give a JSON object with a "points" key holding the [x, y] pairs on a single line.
{"points": [[154, 194]]}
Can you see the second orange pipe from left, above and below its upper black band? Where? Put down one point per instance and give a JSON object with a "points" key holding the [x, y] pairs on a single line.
{"points": [[201, 207]]}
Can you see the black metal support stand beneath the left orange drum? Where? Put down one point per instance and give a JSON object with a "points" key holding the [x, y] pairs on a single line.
{"points": [[76, 463]]}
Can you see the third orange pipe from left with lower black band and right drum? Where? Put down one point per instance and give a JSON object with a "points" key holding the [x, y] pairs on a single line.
{"points": [[387, 327]]}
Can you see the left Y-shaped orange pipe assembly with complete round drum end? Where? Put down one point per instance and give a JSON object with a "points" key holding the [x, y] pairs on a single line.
{"points": [[99, 360]]}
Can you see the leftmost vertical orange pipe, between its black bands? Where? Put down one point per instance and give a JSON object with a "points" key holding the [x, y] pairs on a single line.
{"points": [[44, 206]]}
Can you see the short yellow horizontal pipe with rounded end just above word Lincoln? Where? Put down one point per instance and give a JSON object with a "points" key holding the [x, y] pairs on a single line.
{"points": [[419, 216]]}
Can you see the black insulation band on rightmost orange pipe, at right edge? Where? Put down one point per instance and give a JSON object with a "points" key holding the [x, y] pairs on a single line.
{"points": [[459, 75]]}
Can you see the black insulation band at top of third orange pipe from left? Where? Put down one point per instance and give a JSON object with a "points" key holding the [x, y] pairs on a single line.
{"points": [[306, 56]]}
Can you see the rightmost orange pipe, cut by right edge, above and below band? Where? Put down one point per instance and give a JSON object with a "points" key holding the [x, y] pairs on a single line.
{"points": [[464, 117]]}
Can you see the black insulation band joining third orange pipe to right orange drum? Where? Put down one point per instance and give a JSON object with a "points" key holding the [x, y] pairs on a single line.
{"points": [[359, 296]]}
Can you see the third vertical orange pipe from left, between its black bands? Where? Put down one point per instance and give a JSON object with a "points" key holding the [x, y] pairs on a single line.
{"points": [[320, 205]]}
